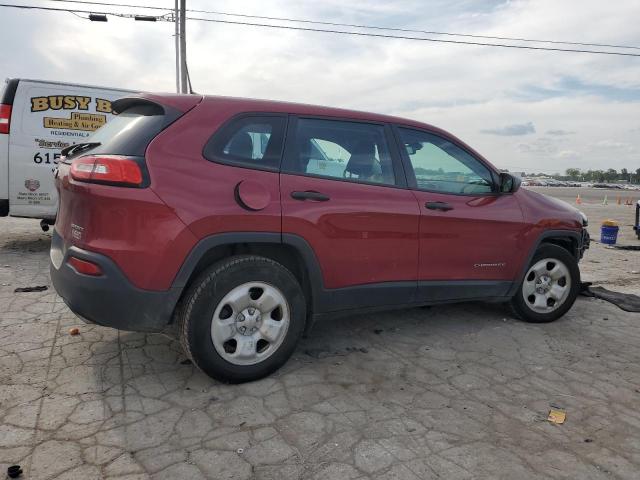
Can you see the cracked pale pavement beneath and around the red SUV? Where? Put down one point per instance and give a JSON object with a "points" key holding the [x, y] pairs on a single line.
{"points": [[452, 392]]}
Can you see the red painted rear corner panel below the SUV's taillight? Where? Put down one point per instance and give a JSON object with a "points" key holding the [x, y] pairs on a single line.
{"points": [[132, 226]]}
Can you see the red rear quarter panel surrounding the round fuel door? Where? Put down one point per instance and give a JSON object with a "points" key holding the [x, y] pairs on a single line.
{"points": [[201, 192]]}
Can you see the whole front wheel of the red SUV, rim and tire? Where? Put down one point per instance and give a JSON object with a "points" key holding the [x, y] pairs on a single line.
{"points": [[550, 286]]}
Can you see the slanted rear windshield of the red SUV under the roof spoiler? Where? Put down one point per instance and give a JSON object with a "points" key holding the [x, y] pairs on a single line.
{"points": [[130, 131]]}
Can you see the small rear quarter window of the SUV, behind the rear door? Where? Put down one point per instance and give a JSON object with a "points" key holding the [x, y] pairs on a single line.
{"points": [[254, 142]]}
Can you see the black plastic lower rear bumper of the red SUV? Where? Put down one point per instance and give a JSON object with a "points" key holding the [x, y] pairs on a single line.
{"points": [[109, 300]]}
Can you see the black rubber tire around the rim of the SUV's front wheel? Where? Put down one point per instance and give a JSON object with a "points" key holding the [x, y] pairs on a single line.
{"points": [[518, 303]]}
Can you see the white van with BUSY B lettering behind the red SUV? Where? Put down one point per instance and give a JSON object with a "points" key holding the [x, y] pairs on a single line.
{"points": [[37, 120]]}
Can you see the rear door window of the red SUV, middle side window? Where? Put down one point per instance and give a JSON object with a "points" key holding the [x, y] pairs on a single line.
{"points": [[346, 150]]}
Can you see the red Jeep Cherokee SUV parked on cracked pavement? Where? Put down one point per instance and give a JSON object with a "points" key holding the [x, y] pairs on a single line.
{"points": [[242, 221]]}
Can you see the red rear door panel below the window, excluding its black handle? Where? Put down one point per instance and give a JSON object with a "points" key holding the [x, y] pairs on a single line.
{"points": [[363, 234]]}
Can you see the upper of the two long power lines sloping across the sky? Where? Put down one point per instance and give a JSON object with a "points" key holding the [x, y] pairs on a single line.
{"points": [[363, 26]]}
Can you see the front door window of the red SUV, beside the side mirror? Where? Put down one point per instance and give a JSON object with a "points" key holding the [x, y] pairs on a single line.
{"points": [[441, 166]]}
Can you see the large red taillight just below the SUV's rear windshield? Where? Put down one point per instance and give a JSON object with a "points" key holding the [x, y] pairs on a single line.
{"points": [[108, 169]]}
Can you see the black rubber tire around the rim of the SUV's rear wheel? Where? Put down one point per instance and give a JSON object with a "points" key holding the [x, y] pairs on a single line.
{"points": [[197, 308]]}
